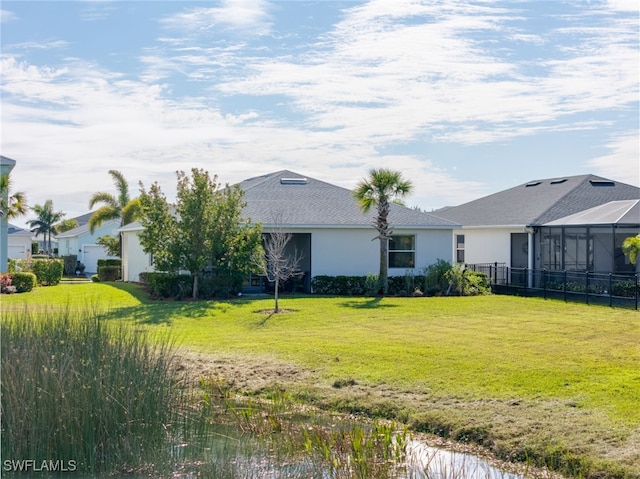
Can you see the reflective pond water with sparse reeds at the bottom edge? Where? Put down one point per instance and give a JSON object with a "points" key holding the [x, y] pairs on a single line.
{"points": [[323, 447]]}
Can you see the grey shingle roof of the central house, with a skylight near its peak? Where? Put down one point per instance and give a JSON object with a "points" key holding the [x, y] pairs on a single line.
{"points": [[307, 202]]}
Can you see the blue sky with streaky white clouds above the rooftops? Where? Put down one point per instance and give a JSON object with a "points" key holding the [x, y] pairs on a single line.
{"points": [[464, 98]]}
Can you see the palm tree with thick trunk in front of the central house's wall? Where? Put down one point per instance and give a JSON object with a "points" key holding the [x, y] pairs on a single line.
{"points": [[379, 190]]}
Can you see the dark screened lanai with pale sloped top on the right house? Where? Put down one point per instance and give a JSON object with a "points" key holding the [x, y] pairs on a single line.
{"points": [[590, 240]]}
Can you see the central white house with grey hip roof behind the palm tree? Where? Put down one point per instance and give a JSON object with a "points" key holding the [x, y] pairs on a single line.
{"points": [[329, 230]]}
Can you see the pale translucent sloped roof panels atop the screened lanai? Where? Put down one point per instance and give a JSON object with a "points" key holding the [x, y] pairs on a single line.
{"points": [[624, 212]]}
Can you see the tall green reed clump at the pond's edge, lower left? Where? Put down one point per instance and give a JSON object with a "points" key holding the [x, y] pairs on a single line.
{"points": [[77, 388]]}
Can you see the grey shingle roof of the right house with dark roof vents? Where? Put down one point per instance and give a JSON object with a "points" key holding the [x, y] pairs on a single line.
{"points": [[540, 201]]}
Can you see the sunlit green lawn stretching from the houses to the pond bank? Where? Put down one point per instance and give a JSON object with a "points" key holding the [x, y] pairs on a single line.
{"points": [[550, 382]]}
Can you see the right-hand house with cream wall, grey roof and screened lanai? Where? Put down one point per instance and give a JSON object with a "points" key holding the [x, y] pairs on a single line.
{"points": [[549, 224]]}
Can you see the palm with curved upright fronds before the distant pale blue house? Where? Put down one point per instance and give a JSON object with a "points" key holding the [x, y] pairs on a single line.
{"points": [[120, 207]]}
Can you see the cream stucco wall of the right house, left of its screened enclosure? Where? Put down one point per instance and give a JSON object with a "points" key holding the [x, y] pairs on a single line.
{"points": [[487, 245]]}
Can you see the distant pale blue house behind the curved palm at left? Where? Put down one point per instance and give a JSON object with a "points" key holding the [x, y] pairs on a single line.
{"points": [[81, 242]]}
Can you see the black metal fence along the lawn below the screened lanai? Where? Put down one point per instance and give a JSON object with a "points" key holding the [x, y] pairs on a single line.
{"points": [[619, 290]]}
